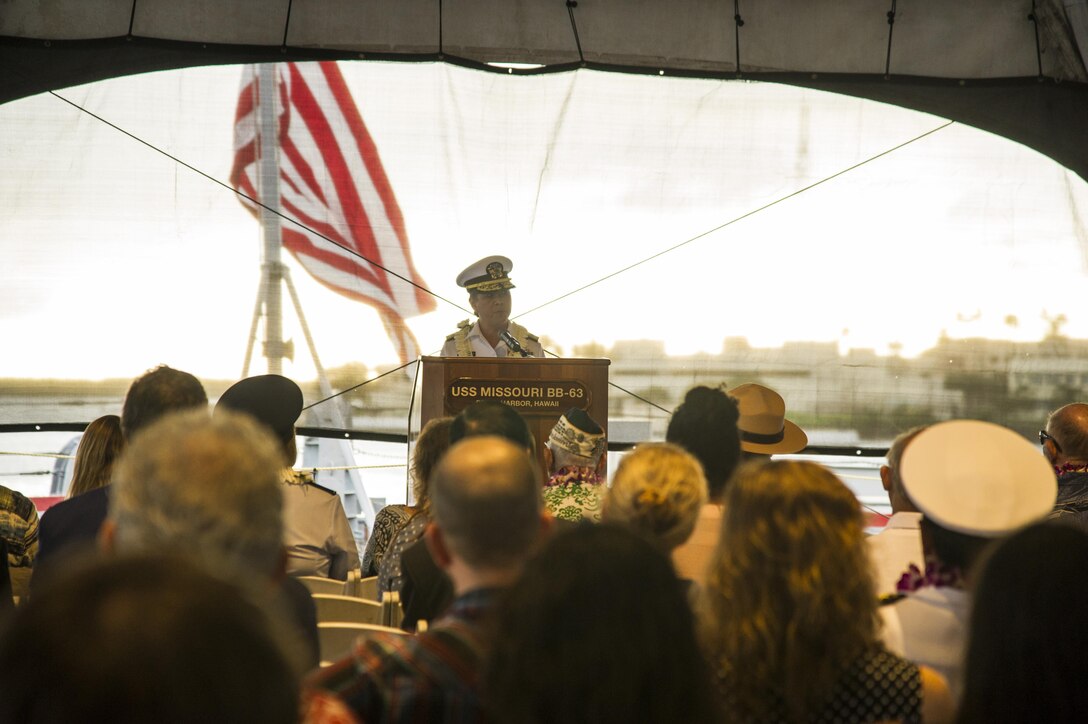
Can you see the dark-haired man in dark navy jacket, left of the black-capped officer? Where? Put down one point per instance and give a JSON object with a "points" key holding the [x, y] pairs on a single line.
{"points": [[73, 524]]}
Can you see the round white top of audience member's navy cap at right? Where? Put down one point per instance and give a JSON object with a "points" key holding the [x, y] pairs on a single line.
{"points": [[978, 478]]}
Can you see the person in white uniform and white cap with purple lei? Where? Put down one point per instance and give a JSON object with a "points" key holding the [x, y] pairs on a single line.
{"points": [[974, 483]]}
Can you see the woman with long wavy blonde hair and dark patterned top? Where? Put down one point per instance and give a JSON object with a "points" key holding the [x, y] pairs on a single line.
{"points": [[789, 609]]}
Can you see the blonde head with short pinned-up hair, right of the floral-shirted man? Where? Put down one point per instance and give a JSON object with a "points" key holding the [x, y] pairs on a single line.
{"points": [[659, 492]]}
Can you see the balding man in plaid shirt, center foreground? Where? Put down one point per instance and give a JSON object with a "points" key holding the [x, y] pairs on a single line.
{"points": [[486, 500]]}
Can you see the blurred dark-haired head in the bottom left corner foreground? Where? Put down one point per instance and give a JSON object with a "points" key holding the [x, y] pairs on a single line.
{"points": [[143, 640]]}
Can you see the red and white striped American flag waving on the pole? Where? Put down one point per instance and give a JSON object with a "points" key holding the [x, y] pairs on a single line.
{"points": [[332, 182]]}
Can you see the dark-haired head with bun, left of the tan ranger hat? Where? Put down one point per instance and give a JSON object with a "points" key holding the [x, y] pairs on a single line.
{"points": [[706, 425]]}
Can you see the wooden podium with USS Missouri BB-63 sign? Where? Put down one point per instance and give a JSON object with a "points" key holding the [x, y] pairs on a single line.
{"points": [[540, 389]]}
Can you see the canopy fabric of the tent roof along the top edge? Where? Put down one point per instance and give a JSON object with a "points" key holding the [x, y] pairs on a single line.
{"points": [[1016, 68]]}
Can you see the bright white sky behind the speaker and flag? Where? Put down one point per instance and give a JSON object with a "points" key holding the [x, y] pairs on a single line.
{"points": [[117, 260]]}
